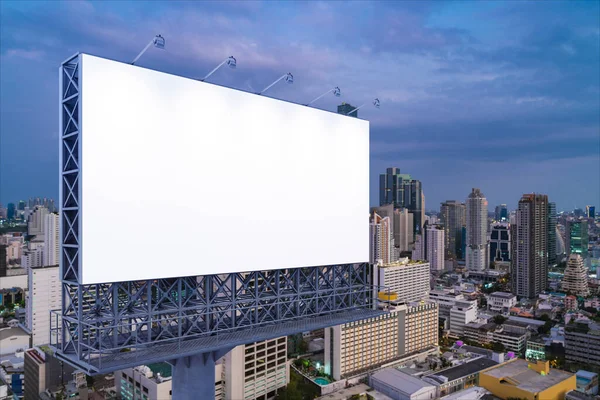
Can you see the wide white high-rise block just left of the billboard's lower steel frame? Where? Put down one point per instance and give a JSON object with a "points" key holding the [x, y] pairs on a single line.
{"points": [[44, 295]]}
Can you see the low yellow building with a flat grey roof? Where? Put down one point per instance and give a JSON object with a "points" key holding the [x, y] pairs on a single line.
{"points": [[533, 381]]}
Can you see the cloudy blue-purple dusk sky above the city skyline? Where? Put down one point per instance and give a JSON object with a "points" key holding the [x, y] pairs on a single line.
{"points": [[503, 96]]}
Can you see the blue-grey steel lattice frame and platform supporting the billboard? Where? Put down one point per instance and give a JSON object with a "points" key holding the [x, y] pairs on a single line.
{"points": [[109, 326]]}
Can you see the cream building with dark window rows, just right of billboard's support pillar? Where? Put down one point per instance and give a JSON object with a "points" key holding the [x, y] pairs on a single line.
{"points": [[256, 370]]}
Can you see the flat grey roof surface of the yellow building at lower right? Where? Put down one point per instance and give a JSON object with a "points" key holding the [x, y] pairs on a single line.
{"points": [[517, 373]]}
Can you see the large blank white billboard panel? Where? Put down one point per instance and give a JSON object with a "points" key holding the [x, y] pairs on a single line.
{"points": [[184, 178]]}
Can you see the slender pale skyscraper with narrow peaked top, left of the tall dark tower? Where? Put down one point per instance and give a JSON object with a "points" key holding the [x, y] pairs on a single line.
{"points": [[476, 257]]}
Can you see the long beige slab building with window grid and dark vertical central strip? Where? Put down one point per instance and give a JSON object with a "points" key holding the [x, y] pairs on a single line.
{"points": [[407, 332]]}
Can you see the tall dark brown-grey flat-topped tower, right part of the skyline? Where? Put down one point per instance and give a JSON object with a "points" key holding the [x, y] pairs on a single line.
{"points": [[530, 259]]}
